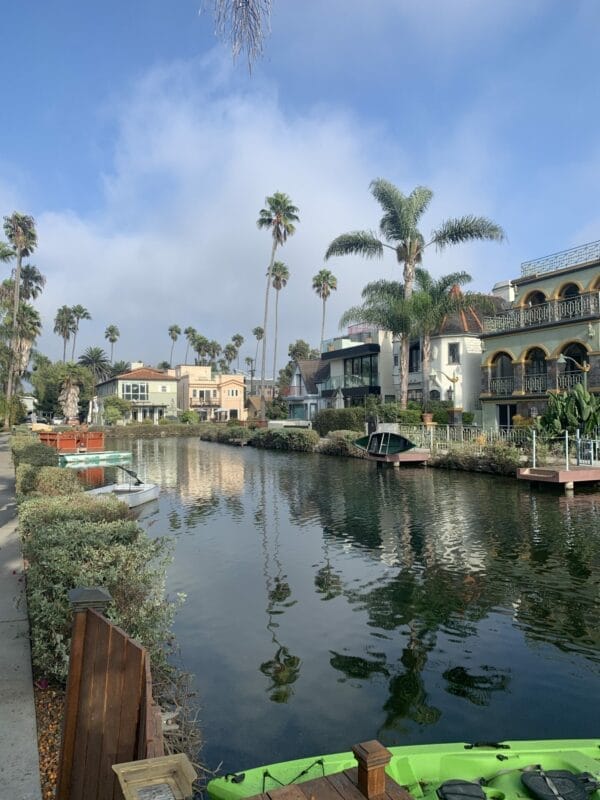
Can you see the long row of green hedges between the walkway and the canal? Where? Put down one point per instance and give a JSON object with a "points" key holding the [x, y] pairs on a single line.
{"points": [[70, 539]]}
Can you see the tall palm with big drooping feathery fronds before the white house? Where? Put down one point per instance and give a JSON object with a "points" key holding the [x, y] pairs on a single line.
{"points": [[400, 232]]}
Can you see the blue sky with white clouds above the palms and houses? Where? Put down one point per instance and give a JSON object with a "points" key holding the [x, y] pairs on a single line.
{"points": [[145, 154]]}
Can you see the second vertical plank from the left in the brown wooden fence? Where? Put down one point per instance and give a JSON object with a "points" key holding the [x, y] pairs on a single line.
{"points": [[79, 777]]}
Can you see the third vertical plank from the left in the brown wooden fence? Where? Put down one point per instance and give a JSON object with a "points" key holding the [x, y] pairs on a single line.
{"points": [[114, 697]]}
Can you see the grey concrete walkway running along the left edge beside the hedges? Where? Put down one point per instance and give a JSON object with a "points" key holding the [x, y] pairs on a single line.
{"points": [[19, 766]]}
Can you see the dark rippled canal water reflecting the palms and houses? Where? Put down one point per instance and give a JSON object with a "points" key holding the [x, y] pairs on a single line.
{"points": [[331, 602]]}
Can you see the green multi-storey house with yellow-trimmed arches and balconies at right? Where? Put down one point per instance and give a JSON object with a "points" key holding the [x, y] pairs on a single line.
{"points": [[548, 340]]}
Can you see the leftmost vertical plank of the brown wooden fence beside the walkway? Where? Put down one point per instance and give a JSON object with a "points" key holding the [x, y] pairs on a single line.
{"points": [[71, 706]]}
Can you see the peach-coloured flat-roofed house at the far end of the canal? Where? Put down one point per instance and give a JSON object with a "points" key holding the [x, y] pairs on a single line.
{"points": [[213, 395]]}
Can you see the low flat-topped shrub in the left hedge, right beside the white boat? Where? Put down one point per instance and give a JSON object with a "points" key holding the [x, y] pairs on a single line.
{"points": [[40, 512]]}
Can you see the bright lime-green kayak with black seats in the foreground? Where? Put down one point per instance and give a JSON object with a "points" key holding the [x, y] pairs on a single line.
{"points": [[497, 769]]}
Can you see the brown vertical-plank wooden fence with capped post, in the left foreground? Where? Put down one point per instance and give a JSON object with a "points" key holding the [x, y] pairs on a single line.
{"points": [[110, 716]]}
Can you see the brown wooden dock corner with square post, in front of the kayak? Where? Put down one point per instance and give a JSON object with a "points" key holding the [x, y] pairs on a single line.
{"points": [[368, 780]]}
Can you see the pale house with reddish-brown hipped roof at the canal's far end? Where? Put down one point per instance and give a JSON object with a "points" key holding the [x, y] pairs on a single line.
{"points": [[152, 394]]}
